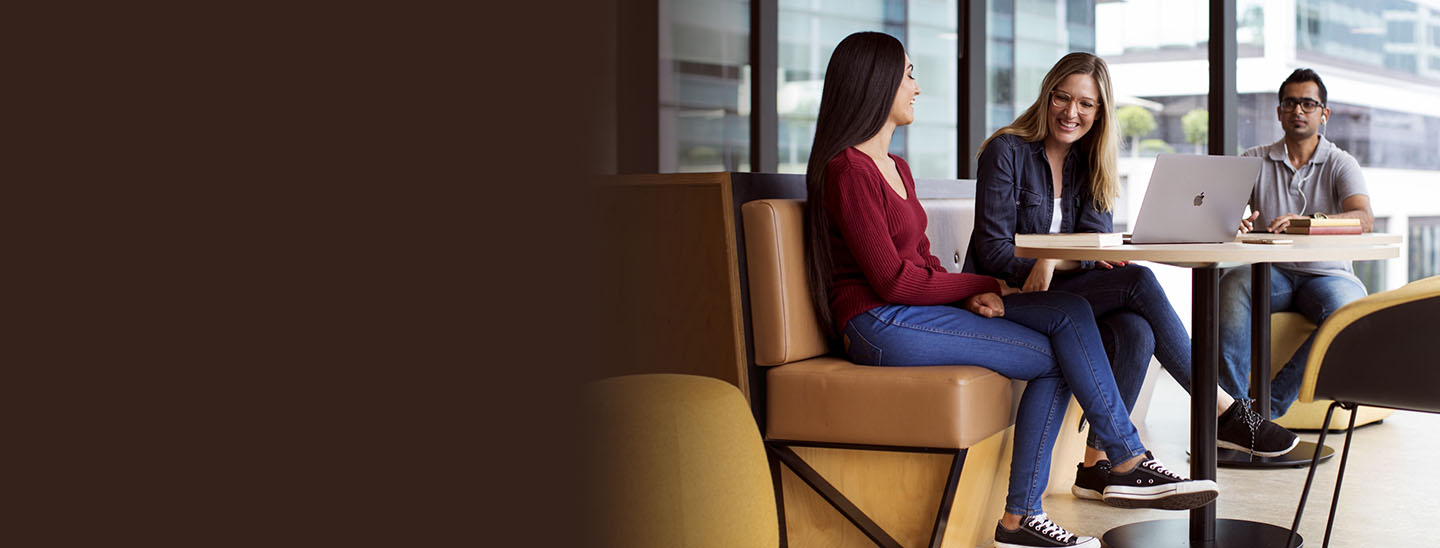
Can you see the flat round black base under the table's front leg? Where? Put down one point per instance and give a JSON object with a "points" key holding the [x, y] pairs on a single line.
{"points": [[1176, 534]]}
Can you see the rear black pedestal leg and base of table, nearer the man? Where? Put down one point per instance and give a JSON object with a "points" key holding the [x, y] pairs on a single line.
{"points": [[1261, 382]]}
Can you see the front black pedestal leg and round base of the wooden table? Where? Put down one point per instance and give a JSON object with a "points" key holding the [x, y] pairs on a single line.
{"points": [[1203, 529]]}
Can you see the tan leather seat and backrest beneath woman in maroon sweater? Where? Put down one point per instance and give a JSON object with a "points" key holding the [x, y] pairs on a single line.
{"points": [[814, 396]]}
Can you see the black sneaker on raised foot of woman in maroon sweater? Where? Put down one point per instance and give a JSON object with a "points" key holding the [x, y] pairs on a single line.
{"points": [[1153, 485]]}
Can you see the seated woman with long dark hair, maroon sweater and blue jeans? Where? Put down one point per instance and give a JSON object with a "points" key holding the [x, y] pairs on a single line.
{"points": [[891, 303]]}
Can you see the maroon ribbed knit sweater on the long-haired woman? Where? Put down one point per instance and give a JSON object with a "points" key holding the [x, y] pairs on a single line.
{"points": [[878, 244]]}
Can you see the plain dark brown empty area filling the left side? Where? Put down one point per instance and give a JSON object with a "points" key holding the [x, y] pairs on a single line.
{"points": [[309, 275]]}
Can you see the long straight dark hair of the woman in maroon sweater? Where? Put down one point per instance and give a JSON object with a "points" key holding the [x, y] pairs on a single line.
{"points": [[860, 88]]}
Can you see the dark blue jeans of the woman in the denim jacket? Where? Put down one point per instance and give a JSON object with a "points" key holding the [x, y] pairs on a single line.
{"points": [[1137, 321]]}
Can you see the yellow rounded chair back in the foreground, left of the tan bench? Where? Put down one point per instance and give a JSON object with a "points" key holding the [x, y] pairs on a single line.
{"points": [[678, 461]]}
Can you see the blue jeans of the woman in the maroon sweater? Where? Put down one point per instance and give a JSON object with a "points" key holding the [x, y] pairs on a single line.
{"points": [[1048, 339]]}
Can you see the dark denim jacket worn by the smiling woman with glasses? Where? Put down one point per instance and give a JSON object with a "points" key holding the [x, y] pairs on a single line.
{"points": [[1014, 196]]}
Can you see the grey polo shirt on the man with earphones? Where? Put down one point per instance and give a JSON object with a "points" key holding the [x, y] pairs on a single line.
{"points": [[1323, 185]]}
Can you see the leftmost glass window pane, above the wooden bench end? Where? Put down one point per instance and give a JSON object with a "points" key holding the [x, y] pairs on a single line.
{"points": [[705, 86]]}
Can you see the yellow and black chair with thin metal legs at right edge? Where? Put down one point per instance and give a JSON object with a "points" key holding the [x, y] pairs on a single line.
{"points": [[1379, 352]]}
